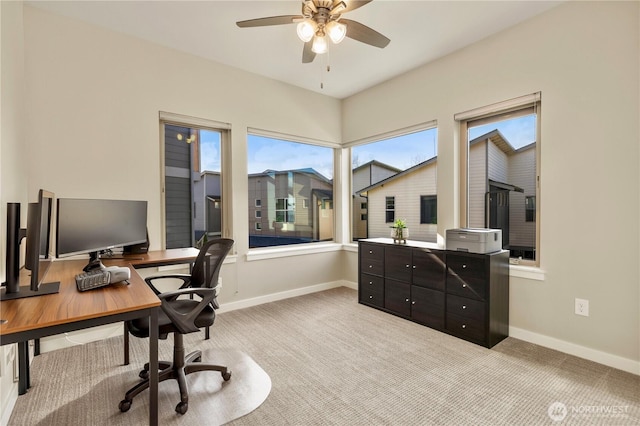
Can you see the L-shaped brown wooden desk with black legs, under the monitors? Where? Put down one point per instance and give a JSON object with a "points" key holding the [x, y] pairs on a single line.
{"points": [[70, 310]]}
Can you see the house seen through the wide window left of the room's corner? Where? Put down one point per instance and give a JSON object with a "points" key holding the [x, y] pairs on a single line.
{"points": [[289, 206]]}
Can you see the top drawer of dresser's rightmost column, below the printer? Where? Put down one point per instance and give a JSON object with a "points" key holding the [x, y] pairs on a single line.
{"points": [[467, 276]]}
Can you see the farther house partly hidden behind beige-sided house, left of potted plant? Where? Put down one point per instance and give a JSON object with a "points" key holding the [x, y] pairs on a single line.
{"points": [[362, 177]]}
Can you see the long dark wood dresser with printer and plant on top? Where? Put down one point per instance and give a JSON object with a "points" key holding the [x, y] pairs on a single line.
{"points": [[462, 294]]}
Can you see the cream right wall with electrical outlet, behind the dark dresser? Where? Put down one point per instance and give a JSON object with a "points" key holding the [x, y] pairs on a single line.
{"points": [[589, 160]]}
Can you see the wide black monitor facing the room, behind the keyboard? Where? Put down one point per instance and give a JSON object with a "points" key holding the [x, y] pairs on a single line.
{"points": [[94, 226]]}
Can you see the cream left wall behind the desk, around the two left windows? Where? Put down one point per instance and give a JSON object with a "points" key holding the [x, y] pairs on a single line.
{"points": [[94, 94]]}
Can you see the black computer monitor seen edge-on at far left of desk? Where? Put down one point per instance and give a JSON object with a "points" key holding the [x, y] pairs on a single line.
{"points": [[39, 251]]}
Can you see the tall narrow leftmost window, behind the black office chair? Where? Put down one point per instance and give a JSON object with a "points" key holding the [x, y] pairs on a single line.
{"points": [[193, 181]]}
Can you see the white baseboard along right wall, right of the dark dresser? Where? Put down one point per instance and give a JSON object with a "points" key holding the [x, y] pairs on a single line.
{"points": [[610, 360]]}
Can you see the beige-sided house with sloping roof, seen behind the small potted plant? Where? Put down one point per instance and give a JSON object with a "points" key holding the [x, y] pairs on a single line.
{"points": [[407, 192]]}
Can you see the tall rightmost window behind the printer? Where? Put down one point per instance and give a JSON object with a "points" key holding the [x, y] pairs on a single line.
{"points": [[501, 169]]}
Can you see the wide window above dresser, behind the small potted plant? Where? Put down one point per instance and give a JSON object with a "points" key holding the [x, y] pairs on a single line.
{"points": [[389, 174]]}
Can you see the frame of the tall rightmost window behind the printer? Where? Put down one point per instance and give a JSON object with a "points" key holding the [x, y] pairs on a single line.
{"points": [[511, 108]]}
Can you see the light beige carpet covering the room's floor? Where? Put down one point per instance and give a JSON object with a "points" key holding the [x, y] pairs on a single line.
{"points": [[335, 362]]}
